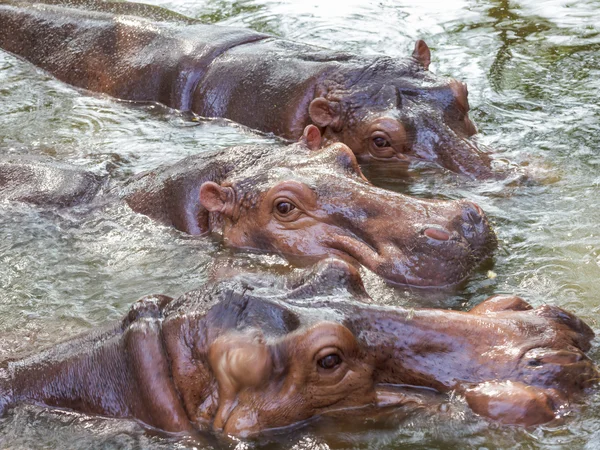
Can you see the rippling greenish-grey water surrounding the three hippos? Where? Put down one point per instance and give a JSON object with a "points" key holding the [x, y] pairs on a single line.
{"points": [[533, 70]]}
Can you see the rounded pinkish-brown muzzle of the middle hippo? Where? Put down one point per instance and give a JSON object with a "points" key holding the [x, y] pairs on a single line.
{"points": [[424, 243]]}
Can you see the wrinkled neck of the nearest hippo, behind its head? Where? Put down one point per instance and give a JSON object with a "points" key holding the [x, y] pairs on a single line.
{"points": [[120, 372]]}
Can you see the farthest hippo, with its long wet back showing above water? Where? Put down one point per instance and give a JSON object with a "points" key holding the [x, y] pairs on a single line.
{"points": [[385, 109]]}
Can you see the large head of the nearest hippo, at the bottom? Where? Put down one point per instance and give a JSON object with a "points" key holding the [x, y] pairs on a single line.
{"points": [[245, 363]]}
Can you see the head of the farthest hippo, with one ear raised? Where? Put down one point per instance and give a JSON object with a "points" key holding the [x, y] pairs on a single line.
{"points": [[397, 111]]}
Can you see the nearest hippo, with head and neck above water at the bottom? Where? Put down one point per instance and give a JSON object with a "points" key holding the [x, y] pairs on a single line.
{"points": [[241, 361]]}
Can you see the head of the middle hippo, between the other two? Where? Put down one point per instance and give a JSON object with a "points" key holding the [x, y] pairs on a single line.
{"points": [[303, 200]]}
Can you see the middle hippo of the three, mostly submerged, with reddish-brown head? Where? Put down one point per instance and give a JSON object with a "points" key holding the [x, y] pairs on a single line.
{"points": [[303, 201]]}
